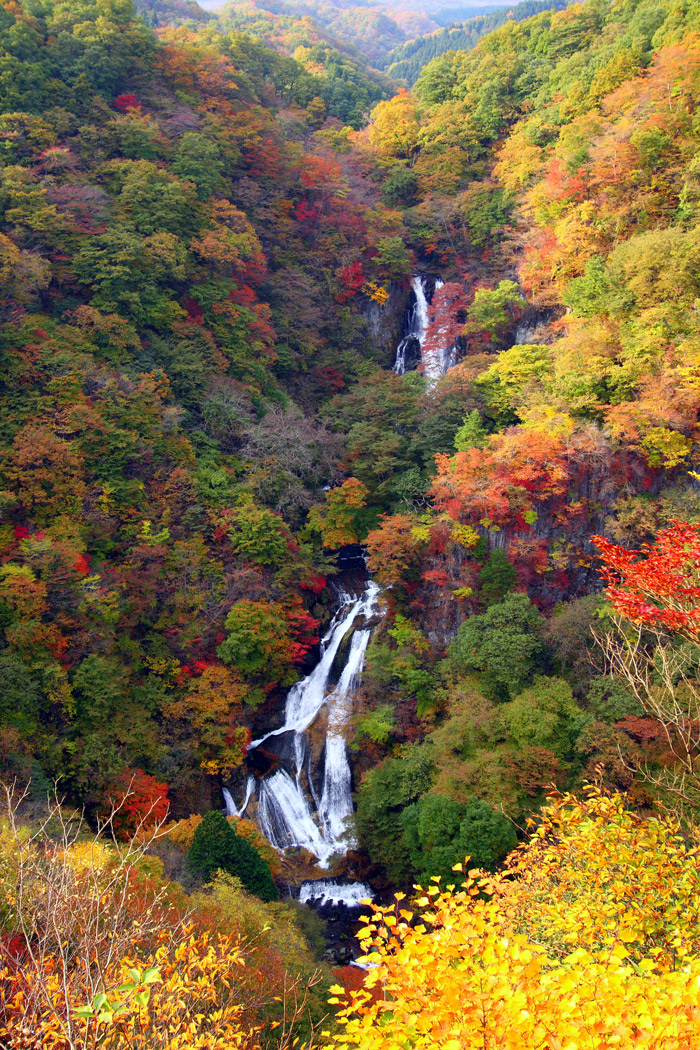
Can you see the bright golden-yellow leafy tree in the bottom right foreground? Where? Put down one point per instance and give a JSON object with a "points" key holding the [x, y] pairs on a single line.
{"points": [[588, 940]]}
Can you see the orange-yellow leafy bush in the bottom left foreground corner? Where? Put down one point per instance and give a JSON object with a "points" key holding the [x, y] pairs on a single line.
{"points": [[189, 1003]]}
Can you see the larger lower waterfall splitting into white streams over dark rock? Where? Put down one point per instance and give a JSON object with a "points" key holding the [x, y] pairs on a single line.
{"points": [[286, 814]]}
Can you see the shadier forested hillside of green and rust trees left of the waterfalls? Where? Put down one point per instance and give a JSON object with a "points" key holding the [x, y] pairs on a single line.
{"points": [[178, 254]]}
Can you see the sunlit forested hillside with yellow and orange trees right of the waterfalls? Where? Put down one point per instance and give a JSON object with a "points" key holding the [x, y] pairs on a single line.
{"points": [[548, 177]]}
